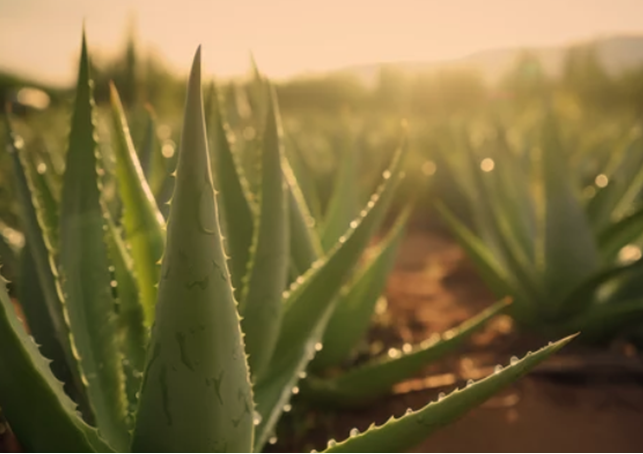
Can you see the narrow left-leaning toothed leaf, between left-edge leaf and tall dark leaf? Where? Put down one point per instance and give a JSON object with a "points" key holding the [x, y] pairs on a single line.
{"points": [[42, 251]]}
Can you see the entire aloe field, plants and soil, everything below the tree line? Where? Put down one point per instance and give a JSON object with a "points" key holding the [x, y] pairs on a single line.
{"points": [[264, 268]]}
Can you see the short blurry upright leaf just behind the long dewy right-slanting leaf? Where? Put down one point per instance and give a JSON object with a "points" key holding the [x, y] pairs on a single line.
{"points": [[344, 205]]}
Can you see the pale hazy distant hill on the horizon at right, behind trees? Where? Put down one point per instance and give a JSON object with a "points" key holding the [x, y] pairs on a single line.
{"points": [[617, 53]]}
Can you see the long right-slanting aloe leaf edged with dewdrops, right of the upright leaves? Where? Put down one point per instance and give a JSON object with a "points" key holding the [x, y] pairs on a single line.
{"points": [[310, 303]]}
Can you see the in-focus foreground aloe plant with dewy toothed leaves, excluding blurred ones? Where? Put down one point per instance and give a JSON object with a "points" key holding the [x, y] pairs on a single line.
{"points": [[196, 372]]}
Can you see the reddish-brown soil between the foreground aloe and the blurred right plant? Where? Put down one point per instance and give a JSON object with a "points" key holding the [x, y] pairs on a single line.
{"points": [[579, 401]]}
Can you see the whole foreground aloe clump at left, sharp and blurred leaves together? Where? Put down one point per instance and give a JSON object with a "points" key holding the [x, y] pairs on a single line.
{"points": [[189, 327]]}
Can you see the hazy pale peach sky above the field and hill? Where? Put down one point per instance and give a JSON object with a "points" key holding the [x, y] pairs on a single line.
{"points": [[41, 38]]}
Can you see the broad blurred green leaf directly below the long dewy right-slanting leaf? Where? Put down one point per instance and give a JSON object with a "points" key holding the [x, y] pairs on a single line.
{"points": [[354, 310]]}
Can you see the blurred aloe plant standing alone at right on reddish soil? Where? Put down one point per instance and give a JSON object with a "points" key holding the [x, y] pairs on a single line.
{"points": [[536, 238]]}
